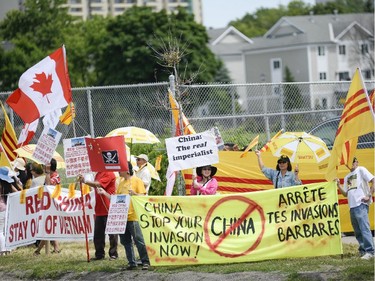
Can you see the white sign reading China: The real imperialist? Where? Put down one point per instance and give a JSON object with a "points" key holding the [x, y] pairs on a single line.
{"points": [[191, 151]]}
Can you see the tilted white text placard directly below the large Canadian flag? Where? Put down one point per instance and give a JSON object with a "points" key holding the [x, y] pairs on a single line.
{"points": [[46, 145]]}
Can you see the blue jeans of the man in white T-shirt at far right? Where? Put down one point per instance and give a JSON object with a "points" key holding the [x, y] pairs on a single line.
{"points": [[361, 225]]}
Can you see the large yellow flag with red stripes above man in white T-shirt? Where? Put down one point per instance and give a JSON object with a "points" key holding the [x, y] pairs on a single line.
{"points": [[357, 119]]}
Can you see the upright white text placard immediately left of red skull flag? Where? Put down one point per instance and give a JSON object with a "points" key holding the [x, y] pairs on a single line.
{"points": [[76, 157]]}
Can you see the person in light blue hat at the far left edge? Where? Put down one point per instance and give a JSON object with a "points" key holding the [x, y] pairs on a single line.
{"points": [[6, 188]]}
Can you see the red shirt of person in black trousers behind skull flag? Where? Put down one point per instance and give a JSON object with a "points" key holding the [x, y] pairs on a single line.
{"points": [[108, 182]]}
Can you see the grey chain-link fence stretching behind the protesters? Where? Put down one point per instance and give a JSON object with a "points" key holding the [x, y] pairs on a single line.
{"points": [[239, 111]]}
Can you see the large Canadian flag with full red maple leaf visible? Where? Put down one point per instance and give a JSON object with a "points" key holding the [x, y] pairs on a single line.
{"points": [[43, 88]]}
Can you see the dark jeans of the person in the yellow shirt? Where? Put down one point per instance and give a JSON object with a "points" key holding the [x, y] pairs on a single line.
{"points": [[134, 231]]}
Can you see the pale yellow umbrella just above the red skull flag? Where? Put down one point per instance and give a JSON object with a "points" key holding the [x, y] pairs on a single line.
{"points": [[134, 135]]}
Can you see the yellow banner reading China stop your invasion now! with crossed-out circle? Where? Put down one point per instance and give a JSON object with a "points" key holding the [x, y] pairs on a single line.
{"points": [[292, 222]]}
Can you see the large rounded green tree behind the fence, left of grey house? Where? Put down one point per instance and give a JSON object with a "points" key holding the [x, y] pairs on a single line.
{"points": [[127, 50]]}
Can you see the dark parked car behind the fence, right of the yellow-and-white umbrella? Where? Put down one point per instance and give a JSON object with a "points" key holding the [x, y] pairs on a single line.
{"points": [[327, 132]]}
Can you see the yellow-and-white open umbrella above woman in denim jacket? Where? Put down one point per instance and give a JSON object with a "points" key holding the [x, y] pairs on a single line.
{"points": [[300, 147]]}
